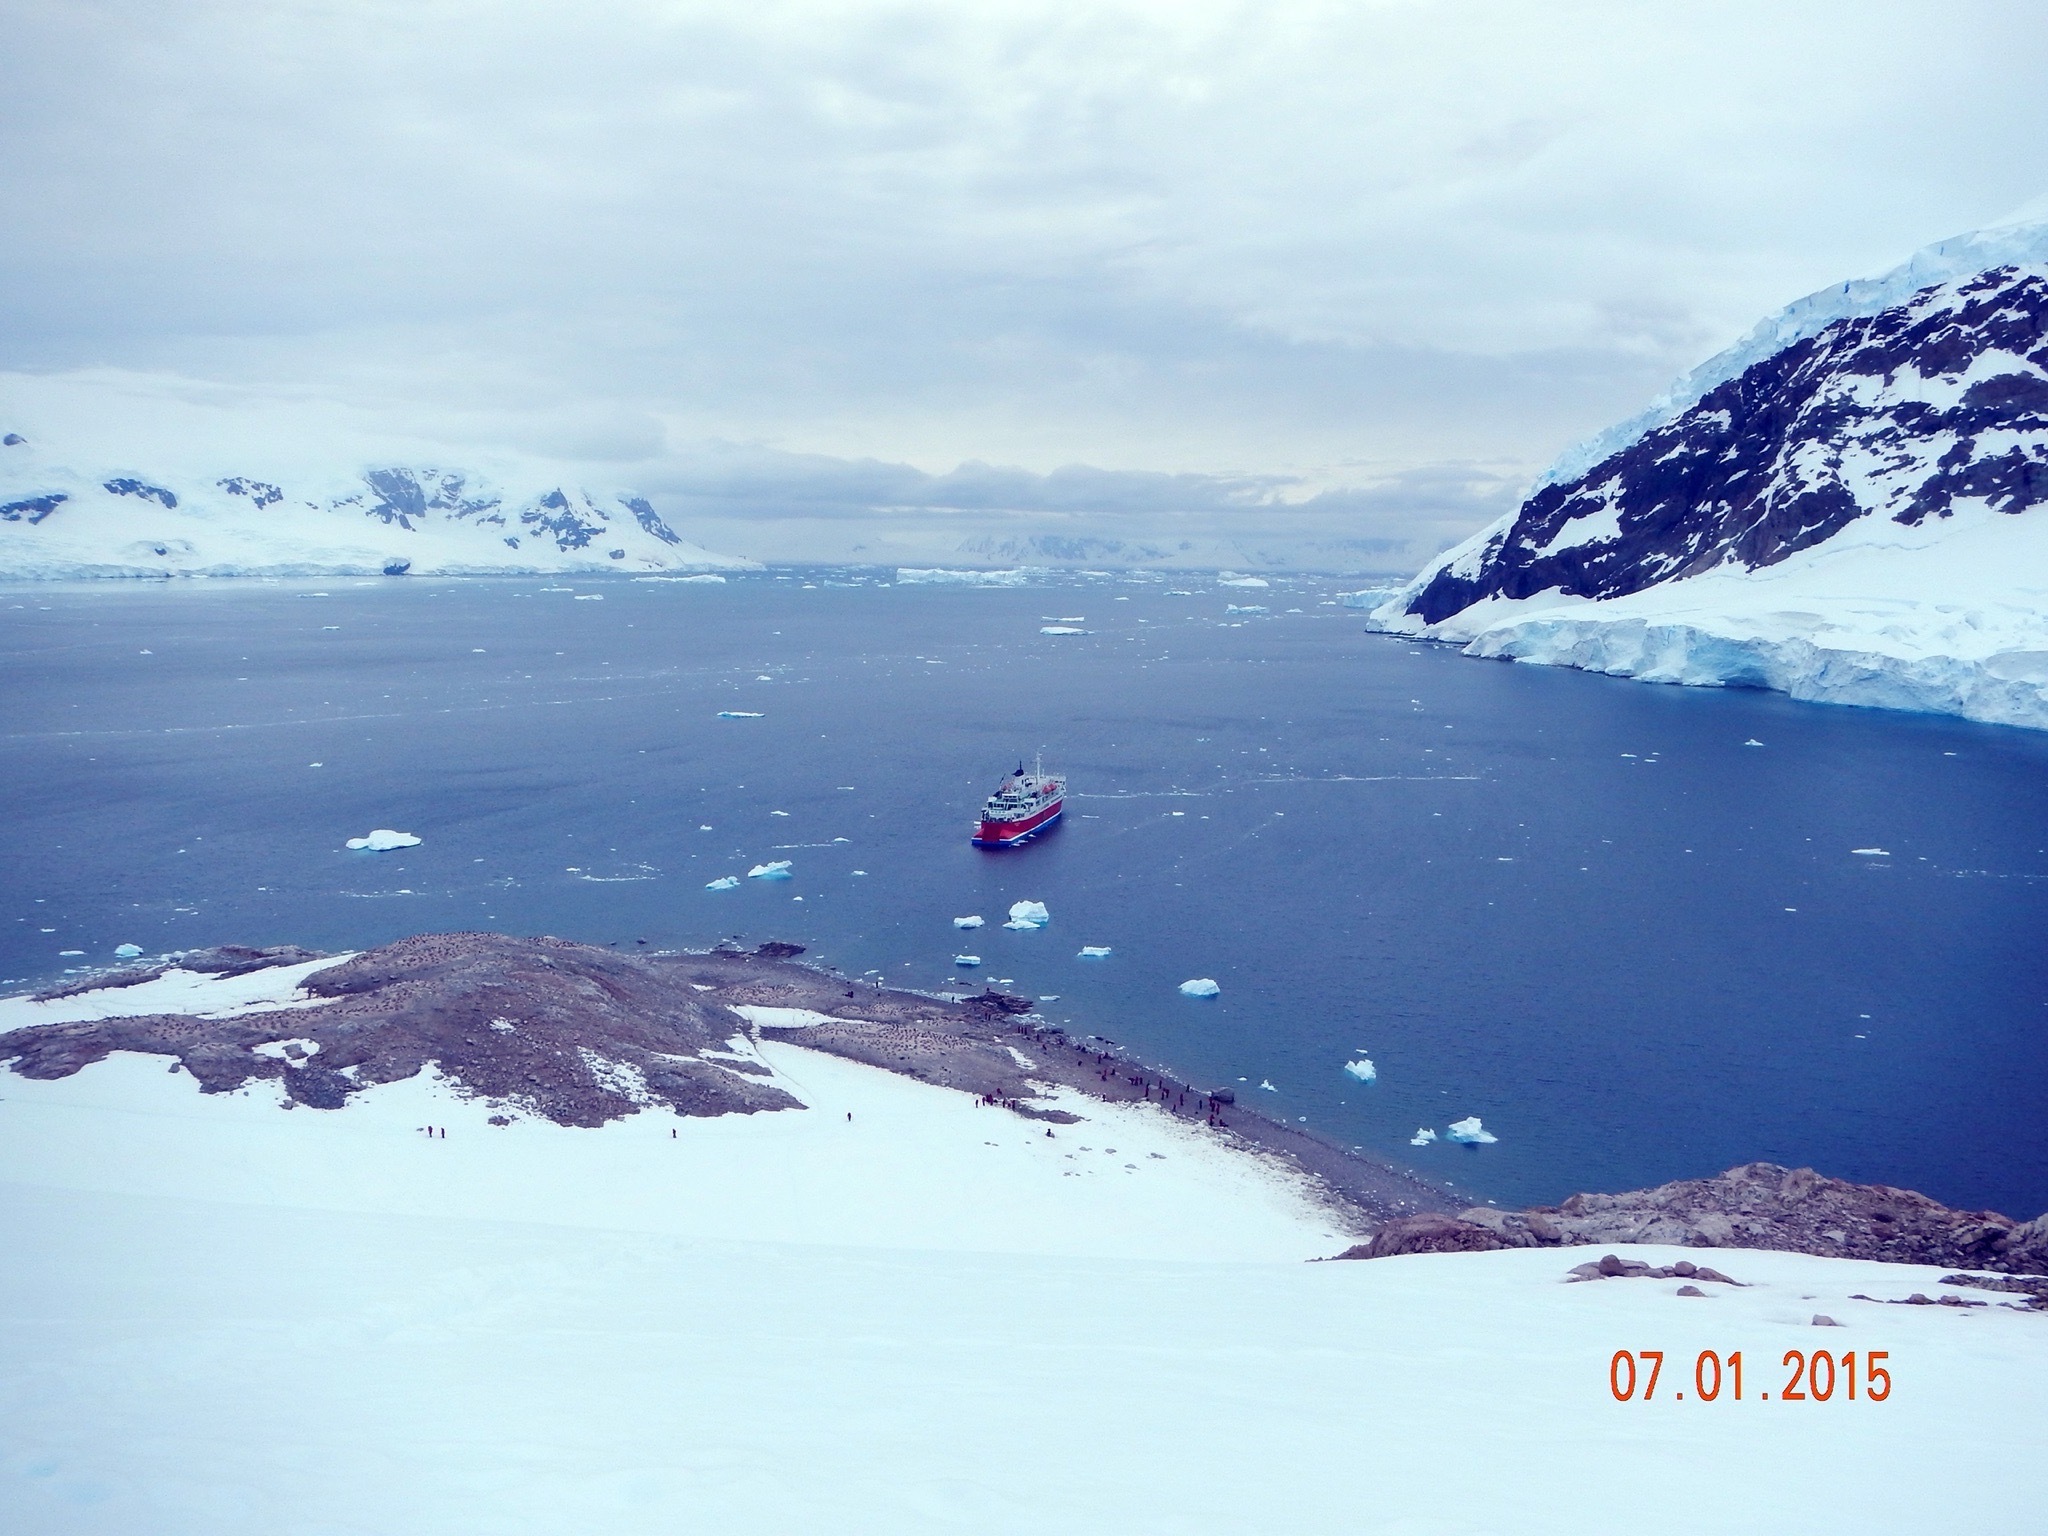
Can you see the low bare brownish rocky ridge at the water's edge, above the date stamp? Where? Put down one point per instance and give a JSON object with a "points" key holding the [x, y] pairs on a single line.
{"points": [[1758, 1205]]}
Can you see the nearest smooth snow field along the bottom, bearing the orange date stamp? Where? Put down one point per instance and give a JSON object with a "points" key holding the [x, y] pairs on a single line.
{"points": [[216, 1369]]}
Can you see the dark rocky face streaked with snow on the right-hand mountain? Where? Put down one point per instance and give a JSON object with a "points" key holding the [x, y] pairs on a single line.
{"points": [[1900, 415]]}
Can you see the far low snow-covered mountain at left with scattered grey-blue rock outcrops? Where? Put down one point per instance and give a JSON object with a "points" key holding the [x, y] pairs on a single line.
{"points": [[69, 513]]}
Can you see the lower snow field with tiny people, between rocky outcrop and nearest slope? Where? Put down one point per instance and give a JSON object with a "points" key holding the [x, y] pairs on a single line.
{"points": [[916, 1168]]}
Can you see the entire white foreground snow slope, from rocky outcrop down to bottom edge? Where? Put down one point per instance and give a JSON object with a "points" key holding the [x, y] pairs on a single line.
{"points": [[929, 1318]]}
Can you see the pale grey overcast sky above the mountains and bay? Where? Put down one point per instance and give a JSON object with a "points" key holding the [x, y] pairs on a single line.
{"points": [[798, 261]]}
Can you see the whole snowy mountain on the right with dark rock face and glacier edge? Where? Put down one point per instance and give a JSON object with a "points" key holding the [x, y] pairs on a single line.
{"points": [[1850, 505]]}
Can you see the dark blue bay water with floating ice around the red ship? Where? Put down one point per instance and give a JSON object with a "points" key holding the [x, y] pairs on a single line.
{"points": [[1578, 908]]}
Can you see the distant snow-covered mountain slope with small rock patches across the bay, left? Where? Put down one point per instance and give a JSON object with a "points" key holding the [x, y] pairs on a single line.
{"points": [[93, 482]]}
